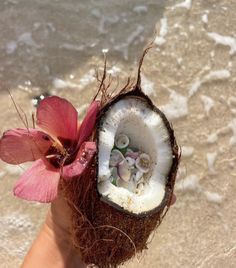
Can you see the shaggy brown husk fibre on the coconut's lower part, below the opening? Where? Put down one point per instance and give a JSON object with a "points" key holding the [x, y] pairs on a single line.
{"points": [[102, 234]]}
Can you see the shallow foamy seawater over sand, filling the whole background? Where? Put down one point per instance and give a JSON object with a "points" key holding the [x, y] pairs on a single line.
{"points": [[56, 47]]}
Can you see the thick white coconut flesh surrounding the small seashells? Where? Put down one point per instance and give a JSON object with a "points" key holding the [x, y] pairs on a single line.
{"points": [[148, 134]]}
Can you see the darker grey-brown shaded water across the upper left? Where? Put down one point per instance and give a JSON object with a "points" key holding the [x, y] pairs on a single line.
{"points": [[41, 40]]}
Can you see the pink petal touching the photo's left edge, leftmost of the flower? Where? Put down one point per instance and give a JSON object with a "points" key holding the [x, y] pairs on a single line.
{"points": [[21, 145]]}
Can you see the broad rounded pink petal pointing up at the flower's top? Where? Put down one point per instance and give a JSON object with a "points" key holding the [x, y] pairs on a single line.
{"points": [[58, 117]]}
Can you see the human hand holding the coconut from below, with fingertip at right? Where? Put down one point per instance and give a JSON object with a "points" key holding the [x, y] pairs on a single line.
{"points": [[53, 246]]}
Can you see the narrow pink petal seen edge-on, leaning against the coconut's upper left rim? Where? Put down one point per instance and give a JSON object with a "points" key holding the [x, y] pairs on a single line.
{"points": [[88, 123]]}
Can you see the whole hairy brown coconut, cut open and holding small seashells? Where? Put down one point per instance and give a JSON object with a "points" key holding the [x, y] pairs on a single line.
{"points": [[122, 197]]}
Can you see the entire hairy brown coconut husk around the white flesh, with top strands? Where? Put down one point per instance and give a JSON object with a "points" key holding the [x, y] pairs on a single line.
{"points": [[104, 234]]}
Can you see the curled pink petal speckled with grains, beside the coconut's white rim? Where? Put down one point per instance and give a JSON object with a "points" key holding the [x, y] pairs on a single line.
{"points": [[83, 158]]}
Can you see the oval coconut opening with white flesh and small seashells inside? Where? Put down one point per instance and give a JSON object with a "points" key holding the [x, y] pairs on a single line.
{"points": [[135, 155]]}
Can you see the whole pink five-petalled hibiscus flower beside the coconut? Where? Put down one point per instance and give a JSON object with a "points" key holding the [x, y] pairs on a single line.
{"points": [[61, 149]]}
